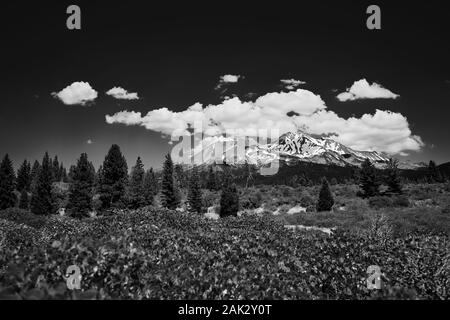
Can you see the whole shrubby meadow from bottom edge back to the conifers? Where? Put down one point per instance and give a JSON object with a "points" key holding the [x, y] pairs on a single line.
{"points": [[155, 253]]}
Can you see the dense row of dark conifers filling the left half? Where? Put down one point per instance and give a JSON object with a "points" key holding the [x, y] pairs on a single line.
{"points": [[35, 187]]}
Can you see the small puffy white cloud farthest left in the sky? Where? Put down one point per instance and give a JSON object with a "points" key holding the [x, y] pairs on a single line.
{"points": [[78, 93]]}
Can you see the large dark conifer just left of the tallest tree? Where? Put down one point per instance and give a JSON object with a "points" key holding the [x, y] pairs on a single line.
{"points": [[81, 188]]}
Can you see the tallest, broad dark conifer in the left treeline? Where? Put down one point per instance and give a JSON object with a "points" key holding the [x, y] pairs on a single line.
{"points": [[114, 179]]}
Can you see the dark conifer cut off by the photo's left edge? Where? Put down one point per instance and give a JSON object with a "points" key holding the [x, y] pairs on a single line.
{"points": [[7, 184]]}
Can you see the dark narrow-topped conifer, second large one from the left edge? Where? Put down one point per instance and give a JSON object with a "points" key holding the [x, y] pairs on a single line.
{"points": [[42, 199]]}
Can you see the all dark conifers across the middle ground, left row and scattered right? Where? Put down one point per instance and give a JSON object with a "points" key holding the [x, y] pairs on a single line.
{"points": [[37, 187]]}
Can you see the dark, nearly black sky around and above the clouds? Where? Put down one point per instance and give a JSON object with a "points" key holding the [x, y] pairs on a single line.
{"points": [[172, 55]]}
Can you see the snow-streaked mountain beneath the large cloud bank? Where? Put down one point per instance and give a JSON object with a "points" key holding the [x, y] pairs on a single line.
{"points": [[290, 148]]}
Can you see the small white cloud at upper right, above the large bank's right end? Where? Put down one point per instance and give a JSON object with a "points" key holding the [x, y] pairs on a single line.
{"points": [[361, 89]]}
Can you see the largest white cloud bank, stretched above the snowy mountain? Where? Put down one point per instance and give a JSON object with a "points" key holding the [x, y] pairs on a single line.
{"points": [[301, 109]]}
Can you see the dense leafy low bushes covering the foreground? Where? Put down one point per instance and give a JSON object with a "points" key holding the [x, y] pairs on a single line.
{"points": [[162, 254]]}
